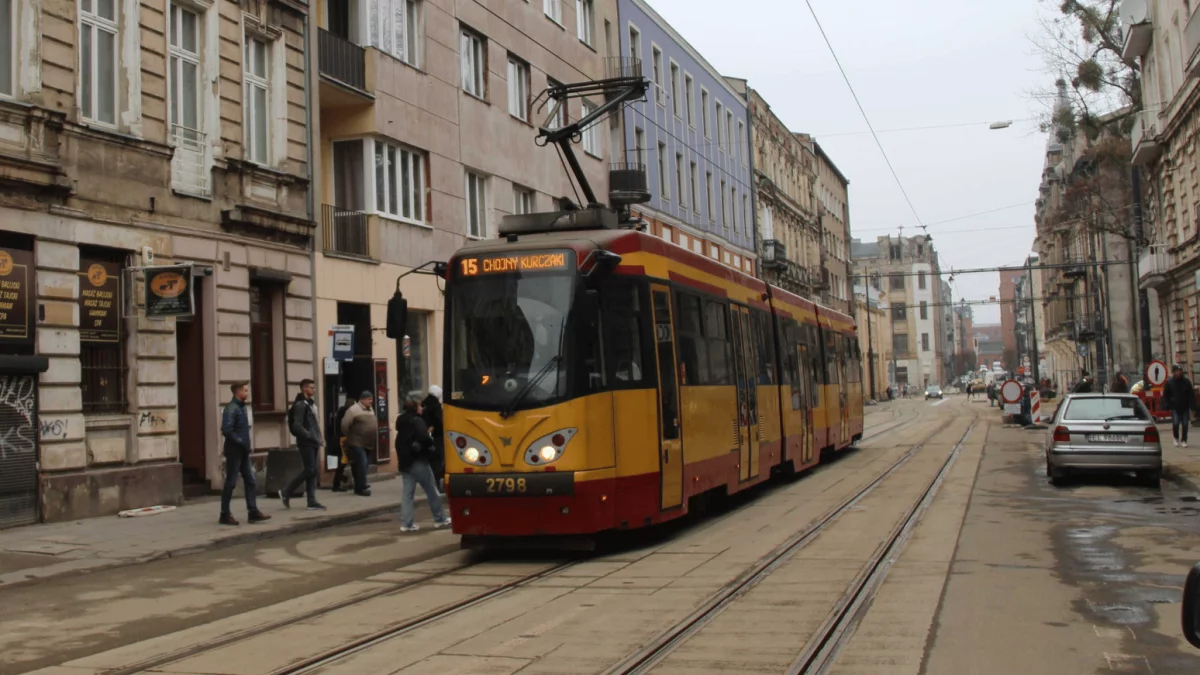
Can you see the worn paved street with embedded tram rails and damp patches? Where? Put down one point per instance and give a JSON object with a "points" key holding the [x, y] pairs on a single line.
{"points": [[992, 571]]}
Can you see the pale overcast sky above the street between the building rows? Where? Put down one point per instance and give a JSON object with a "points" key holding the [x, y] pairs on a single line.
{"points": [[919, 63]]}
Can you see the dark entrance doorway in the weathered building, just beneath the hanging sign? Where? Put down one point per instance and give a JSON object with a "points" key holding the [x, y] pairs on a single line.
{"points": [[193, 405]]}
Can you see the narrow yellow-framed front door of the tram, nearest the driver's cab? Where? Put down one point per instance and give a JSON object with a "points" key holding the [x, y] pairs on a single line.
{"points": [[670, 428]]}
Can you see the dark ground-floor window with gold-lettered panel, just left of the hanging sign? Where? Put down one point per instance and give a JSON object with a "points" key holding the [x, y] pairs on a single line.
{"points": [[101, 332]]}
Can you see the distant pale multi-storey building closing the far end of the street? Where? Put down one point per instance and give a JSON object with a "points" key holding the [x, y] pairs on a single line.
{"points": [[907, 270]]}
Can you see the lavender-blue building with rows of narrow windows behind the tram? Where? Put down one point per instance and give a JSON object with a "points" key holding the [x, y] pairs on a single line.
{"points": [[693, 136]]}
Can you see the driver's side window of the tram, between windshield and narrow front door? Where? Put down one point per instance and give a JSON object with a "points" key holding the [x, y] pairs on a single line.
{"points": [[625, 337]]}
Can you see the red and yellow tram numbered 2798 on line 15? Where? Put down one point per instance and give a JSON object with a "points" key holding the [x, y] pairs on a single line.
{"points": [[604, 380]]}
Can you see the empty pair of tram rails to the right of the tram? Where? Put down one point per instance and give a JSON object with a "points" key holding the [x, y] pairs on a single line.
{"points": [[837, 630]]}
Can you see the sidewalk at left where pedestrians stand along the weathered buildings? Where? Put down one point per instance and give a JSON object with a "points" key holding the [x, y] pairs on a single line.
{"points": [[41, 552]]}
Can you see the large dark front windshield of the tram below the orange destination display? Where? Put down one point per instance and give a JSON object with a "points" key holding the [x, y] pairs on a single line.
{"points": [[506, 332]]}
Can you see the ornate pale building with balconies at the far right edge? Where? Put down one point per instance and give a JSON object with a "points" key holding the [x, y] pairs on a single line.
{"points": [[1165, 38]]}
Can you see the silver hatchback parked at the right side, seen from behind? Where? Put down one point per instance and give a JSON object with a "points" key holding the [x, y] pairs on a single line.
{"points": [[1105, 433]]}
